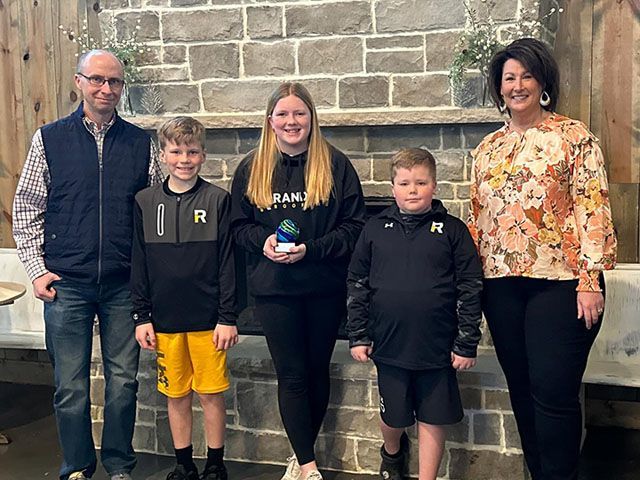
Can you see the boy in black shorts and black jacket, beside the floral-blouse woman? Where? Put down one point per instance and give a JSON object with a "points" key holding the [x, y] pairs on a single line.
{"points": [[414, 308]]}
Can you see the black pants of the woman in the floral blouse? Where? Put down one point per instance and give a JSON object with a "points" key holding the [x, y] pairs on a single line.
{"points": [[543, 350]]}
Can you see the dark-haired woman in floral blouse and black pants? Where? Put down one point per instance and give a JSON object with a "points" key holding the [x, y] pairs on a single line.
{"points": [[541, 219]]}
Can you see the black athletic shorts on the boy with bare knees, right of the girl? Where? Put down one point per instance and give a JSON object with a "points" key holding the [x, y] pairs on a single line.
{"points": [[430, 396]]}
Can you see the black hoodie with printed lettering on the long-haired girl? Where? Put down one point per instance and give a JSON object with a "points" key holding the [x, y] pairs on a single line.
{"points": [[329, 231]]}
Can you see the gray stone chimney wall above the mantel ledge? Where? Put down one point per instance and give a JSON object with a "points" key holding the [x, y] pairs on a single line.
{"points": [[222, 56]]}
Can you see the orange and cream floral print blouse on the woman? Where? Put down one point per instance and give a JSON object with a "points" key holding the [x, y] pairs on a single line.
{"points": [[540, 204]]}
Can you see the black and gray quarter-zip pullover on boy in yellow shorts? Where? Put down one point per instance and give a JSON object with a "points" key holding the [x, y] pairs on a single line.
{"points": [[182, 265]]}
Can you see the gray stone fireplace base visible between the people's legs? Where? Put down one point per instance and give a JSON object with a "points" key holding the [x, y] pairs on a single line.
{"points": [[485, 445]]}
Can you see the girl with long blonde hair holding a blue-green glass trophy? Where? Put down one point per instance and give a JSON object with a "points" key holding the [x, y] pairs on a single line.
{"points": [[298, 210]]}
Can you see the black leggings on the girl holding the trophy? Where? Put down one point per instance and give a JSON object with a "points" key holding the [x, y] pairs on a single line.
{"points": [[301, 332]]}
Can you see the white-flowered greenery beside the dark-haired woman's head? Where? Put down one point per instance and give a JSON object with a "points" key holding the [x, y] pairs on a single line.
{"points": [[483, 37]]}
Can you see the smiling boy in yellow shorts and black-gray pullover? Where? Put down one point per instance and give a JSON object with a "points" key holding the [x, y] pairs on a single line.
{"points": [[183, 289]]}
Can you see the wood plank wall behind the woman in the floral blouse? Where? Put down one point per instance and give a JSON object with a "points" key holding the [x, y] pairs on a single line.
{"points": [[598, 50]]}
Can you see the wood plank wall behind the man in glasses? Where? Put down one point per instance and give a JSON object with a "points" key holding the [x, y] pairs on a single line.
{"points": [[36, 73]]}
